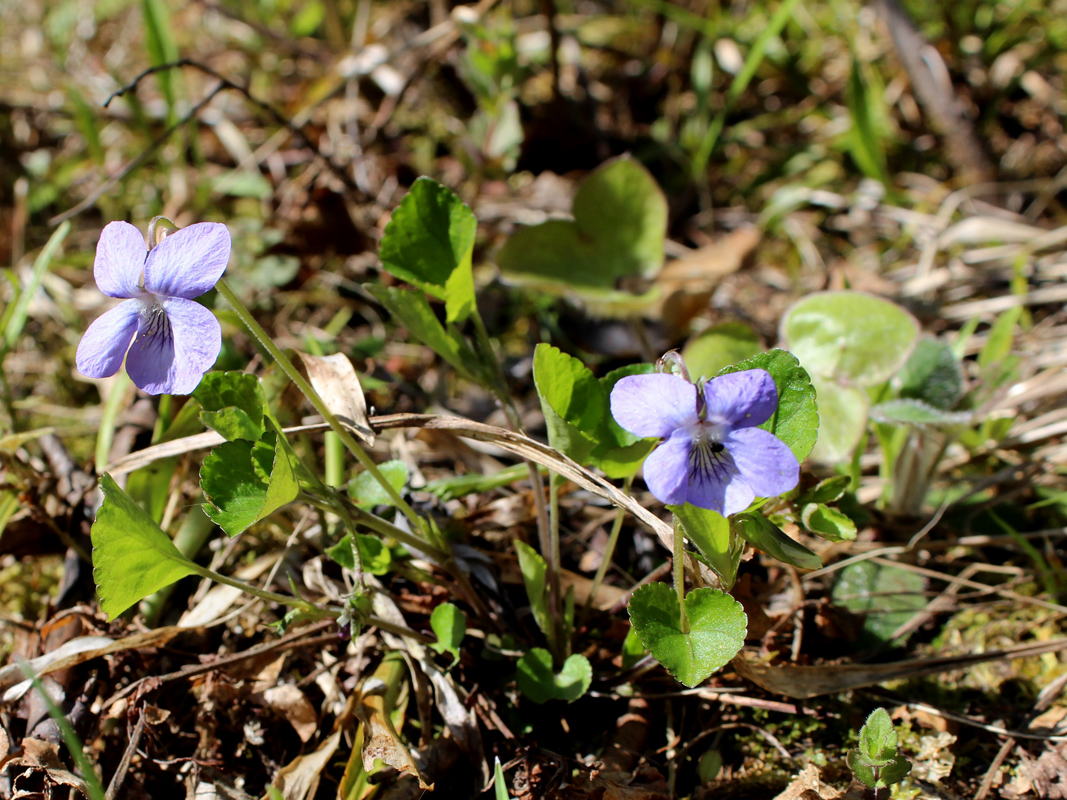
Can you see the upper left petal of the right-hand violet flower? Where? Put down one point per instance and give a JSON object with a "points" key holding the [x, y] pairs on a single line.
{"points": [[655, 406]]}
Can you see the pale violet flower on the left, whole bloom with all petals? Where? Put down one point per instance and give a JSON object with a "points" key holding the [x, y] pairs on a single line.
{"points": [[172, 341]]}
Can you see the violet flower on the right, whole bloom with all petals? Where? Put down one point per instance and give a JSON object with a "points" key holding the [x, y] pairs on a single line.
{"points": [[714, 456]]}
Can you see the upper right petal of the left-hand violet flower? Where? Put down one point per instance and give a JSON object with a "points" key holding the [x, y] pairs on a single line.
{"points": [[188, 263]]}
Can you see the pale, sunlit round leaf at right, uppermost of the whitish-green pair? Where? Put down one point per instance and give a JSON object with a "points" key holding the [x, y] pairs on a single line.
{"points": [[850, 338]]}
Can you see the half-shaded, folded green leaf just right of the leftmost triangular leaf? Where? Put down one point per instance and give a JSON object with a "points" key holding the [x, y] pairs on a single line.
{"points": [[246, 482]]}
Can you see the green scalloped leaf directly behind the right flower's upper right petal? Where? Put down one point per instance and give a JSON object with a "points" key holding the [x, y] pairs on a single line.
{"points": [[798, 421]]}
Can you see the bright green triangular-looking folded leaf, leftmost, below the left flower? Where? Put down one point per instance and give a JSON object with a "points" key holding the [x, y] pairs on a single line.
{"points": [[133, 557]]}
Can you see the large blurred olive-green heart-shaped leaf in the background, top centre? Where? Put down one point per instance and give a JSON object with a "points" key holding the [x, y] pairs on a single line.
{"points": [[619, 227]]}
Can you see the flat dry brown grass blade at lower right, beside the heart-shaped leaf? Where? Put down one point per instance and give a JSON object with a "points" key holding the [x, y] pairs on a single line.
{"points": [[803, 683]]}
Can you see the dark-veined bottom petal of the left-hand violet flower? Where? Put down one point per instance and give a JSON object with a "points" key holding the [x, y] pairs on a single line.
{"points": [[172, 359]]}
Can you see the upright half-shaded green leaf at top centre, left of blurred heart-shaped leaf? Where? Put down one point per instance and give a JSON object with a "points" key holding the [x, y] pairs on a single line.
{"points": [[431, 235]]}
